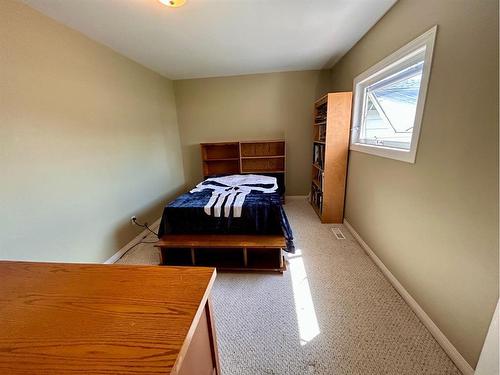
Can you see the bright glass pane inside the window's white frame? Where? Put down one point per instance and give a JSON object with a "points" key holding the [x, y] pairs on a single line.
{"points": [[390, 106]]}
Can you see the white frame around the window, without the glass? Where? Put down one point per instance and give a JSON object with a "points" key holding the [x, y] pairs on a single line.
{"points": [[390, 65]]}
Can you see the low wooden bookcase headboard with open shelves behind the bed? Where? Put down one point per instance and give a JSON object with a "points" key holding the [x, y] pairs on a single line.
{"points": [[243, 157]]}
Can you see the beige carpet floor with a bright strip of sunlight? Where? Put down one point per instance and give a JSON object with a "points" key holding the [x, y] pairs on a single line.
{"points": [[332, 312]]}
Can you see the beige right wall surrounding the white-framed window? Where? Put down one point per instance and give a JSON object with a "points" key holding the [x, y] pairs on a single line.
{"points": [[435, 223]]}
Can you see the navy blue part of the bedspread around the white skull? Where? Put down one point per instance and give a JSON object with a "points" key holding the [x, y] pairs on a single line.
{"points": [[262, 213]]}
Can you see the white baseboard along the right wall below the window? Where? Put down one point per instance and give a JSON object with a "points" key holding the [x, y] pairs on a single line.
{"points": [[440, 337]]}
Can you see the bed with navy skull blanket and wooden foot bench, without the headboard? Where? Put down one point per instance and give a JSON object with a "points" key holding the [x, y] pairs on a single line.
{"points": [[198, 227]]}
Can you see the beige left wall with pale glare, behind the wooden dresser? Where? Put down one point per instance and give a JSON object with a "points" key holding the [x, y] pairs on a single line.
{"points": [[87, 139]]}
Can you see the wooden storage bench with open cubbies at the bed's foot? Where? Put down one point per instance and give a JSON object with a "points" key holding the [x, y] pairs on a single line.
{"points": [[225, 252]]}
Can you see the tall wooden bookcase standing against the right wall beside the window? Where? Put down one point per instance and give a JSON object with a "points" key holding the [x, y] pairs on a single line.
{"points": [[332, 118]]}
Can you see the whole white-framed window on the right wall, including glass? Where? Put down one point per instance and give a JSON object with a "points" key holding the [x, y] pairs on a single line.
{"points": [[389, 101]]}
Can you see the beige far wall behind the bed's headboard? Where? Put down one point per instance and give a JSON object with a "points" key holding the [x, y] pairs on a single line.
{"points": [[261, 106]]}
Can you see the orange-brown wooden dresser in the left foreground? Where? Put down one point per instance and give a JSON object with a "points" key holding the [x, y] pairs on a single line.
{"points": [[106, 319]]}
